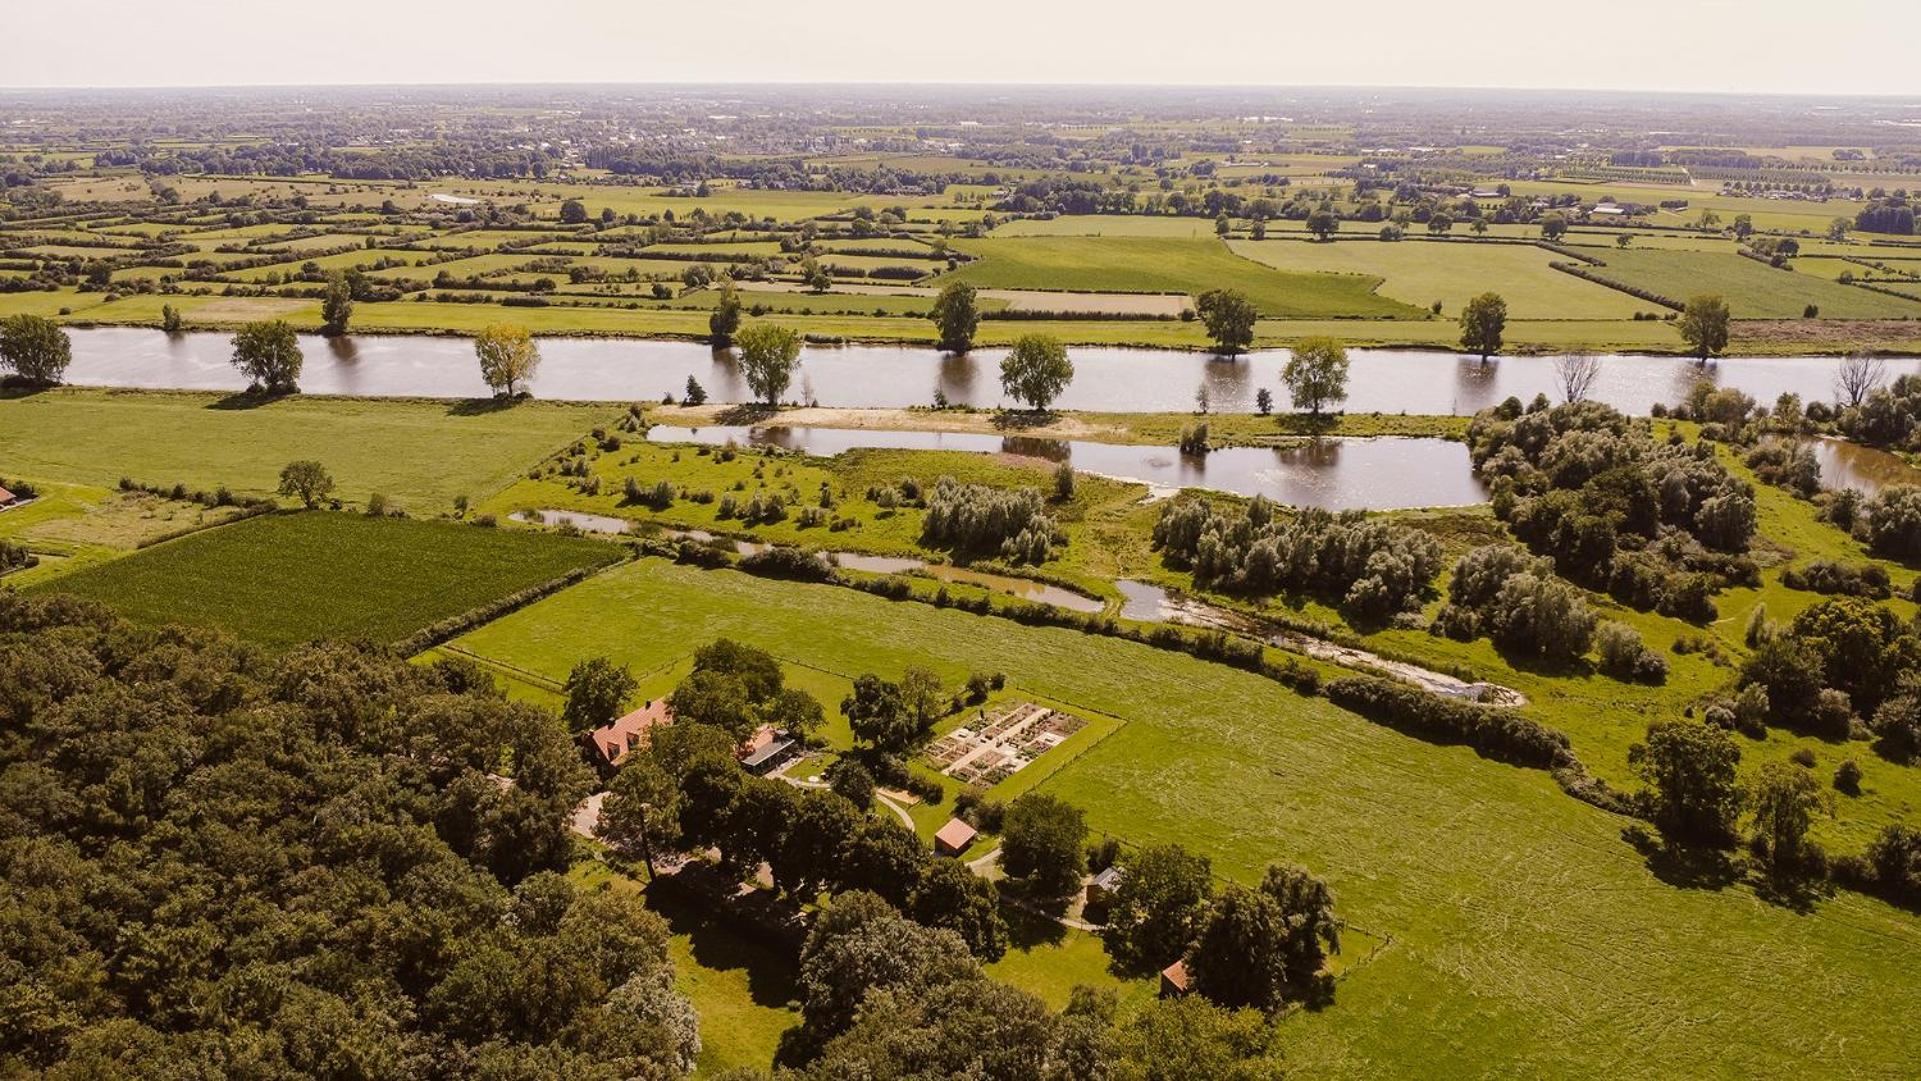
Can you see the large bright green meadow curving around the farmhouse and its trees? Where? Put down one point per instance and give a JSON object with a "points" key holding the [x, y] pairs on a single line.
{"points": [[1524, 938]]}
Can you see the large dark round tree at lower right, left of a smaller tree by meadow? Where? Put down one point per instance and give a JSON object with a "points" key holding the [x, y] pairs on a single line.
{"points": [[1691, 773]]}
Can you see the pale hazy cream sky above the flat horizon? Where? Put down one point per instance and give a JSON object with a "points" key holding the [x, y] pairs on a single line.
{"points": [[1797, 47]]}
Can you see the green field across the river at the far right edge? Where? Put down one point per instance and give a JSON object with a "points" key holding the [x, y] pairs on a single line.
{"points": [[1753, 289]]}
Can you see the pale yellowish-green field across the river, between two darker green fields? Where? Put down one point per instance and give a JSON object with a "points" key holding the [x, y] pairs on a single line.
{"points": [[1421, 274]]}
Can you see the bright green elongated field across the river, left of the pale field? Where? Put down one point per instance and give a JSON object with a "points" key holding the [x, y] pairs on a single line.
{"points": [[1155, 264]]}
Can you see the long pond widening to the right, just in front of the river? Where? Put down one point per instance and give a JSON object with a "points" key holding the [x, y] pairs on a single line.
{"points": [[1336, 475]]}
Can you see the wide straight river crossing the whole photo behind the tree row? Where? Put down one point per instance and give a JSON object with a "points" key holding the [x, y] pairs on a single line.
{"points": [[1107, 379]]}
